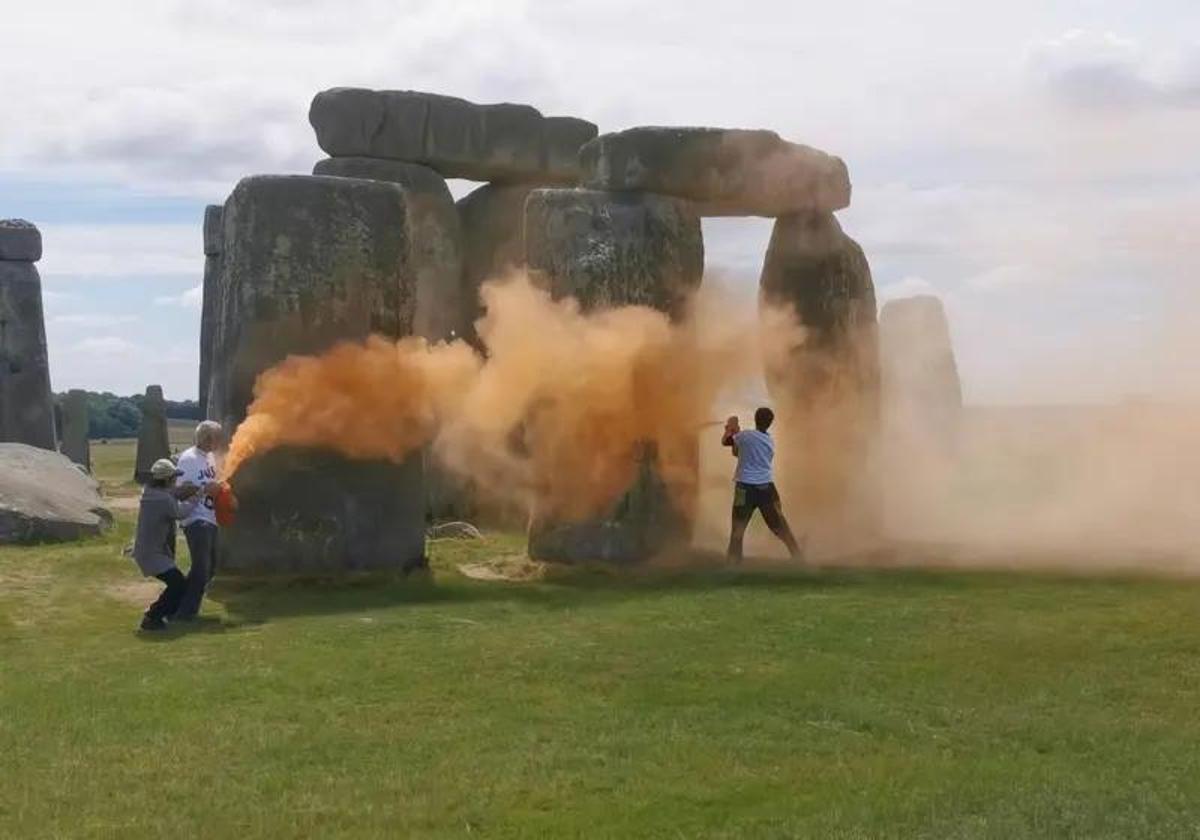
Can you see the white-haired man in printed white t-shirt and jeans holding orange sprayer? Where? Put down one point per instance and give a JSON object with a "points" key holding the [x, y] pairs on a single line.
{"points": [[199, 466]]}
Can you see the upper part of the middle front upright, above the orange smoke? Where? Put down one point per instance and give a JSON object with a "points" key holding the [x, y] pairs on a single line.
{"points": [[610, 249]]}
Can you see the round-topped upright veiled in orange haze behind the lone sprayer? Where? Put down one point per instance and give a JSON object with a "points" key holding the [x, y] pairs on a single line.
{"points": [[825, 379]]}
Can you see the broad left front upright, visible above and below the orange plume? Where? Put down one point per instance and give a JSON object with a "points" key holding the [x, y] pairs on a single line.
{"points": [[310, 262]]}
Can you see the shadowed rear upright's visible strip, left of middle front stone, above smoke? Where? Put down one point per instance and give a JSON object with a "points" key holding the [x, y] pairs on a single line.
{"points": [[494, 241]]}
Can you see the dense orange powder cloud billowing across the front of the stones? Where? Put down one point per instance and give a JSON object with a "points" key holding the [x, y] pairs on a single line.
{"points": [[559, 415]]}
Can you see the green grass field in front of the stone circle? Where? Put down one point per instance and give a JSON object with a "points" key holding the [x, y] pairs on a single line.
{"points": [[755, 703]]}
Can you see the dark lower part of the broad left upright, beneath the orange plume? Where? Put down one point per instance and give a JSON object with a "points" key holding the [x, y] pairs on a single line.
{"points": [[314, 513]]}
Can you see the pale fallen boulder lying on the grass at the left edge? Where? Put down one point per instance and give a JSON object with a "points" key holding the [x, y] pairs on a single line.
{"points": [[46, 497]]}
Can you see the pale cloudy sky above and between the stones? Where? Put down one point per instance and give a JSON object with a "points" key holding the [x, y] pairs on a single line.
{"points": [[1033, 163]]}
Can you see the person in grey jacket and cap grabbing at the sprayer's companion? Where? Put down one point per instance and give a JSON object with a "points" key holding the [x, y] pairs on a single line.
{"points": [[154, 547]]}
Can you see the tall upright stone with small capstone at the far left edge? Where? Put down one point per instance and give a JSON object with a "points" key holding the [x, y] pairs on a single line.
{"points": [[27, 406]]}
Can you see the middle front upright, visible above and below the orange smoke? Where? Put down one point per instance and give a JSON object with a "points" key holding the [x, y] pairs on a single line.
{"points": [[615, 250]]}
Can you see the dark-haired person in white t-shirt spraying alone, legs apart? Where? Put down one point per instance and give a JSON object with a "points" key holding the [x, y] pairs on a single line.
{"points": [[754, 483]]}
